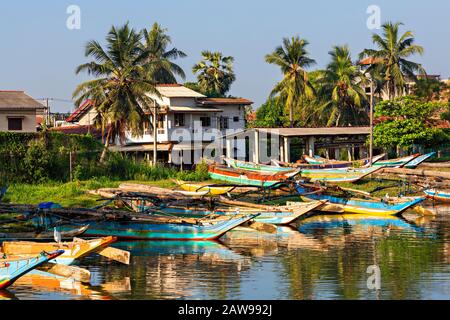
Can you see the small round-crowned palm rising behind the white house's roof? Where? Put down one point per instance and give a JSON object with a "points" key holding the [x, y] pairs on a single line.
{"points": [[215, 73]]}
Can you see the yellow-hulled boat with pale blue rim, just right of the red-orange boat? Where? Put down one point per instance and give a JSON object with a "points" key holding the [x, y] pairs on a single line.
{"points": [[337, 175]]}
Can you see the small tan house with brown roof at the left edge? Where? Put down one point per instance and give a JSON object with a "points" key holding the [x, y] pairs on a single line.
{"points": [[19, 112]]}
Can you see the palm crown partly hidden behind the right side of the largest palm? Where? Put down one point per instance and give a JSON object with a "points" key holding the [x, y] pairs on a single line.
{"points": [[163, 70]]}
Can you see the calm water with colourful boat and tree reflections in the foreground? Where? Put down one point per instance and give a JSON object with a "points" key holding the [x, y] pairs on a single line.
{"points": [[323, 257]]}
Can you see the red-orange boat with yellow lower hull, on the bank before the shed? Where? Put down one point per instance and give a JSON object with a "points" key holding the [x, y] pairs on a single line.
{"points": [[246, 177]]}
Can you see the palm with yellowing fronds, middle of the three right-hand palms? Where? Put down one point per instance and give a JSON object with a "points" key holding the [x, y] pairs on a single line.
{"points": [[343, 85]]}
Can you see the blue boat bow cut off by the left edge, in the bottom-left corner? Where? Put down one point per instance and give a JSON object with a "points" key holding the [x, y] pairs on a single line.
{"points": [[12, 268]]}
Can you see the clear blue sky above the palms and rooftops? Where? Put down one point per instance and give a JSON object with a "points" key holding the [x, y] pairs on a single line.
{"points": [[39, 54]]}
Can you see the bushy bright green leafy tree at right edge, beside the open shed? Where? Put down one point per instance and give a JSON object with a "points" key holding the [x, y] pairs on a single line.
{"points": [[407, 121]]}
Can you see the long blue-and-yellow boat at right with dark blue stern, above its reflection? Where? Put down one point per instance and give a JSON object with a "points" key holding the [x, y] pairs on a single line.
{"points": [[373, 206]]}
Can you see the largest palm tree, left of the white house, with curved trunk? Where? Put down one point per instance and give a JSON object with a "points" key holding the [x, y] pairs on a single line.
{"points": [[119, 92]]}
